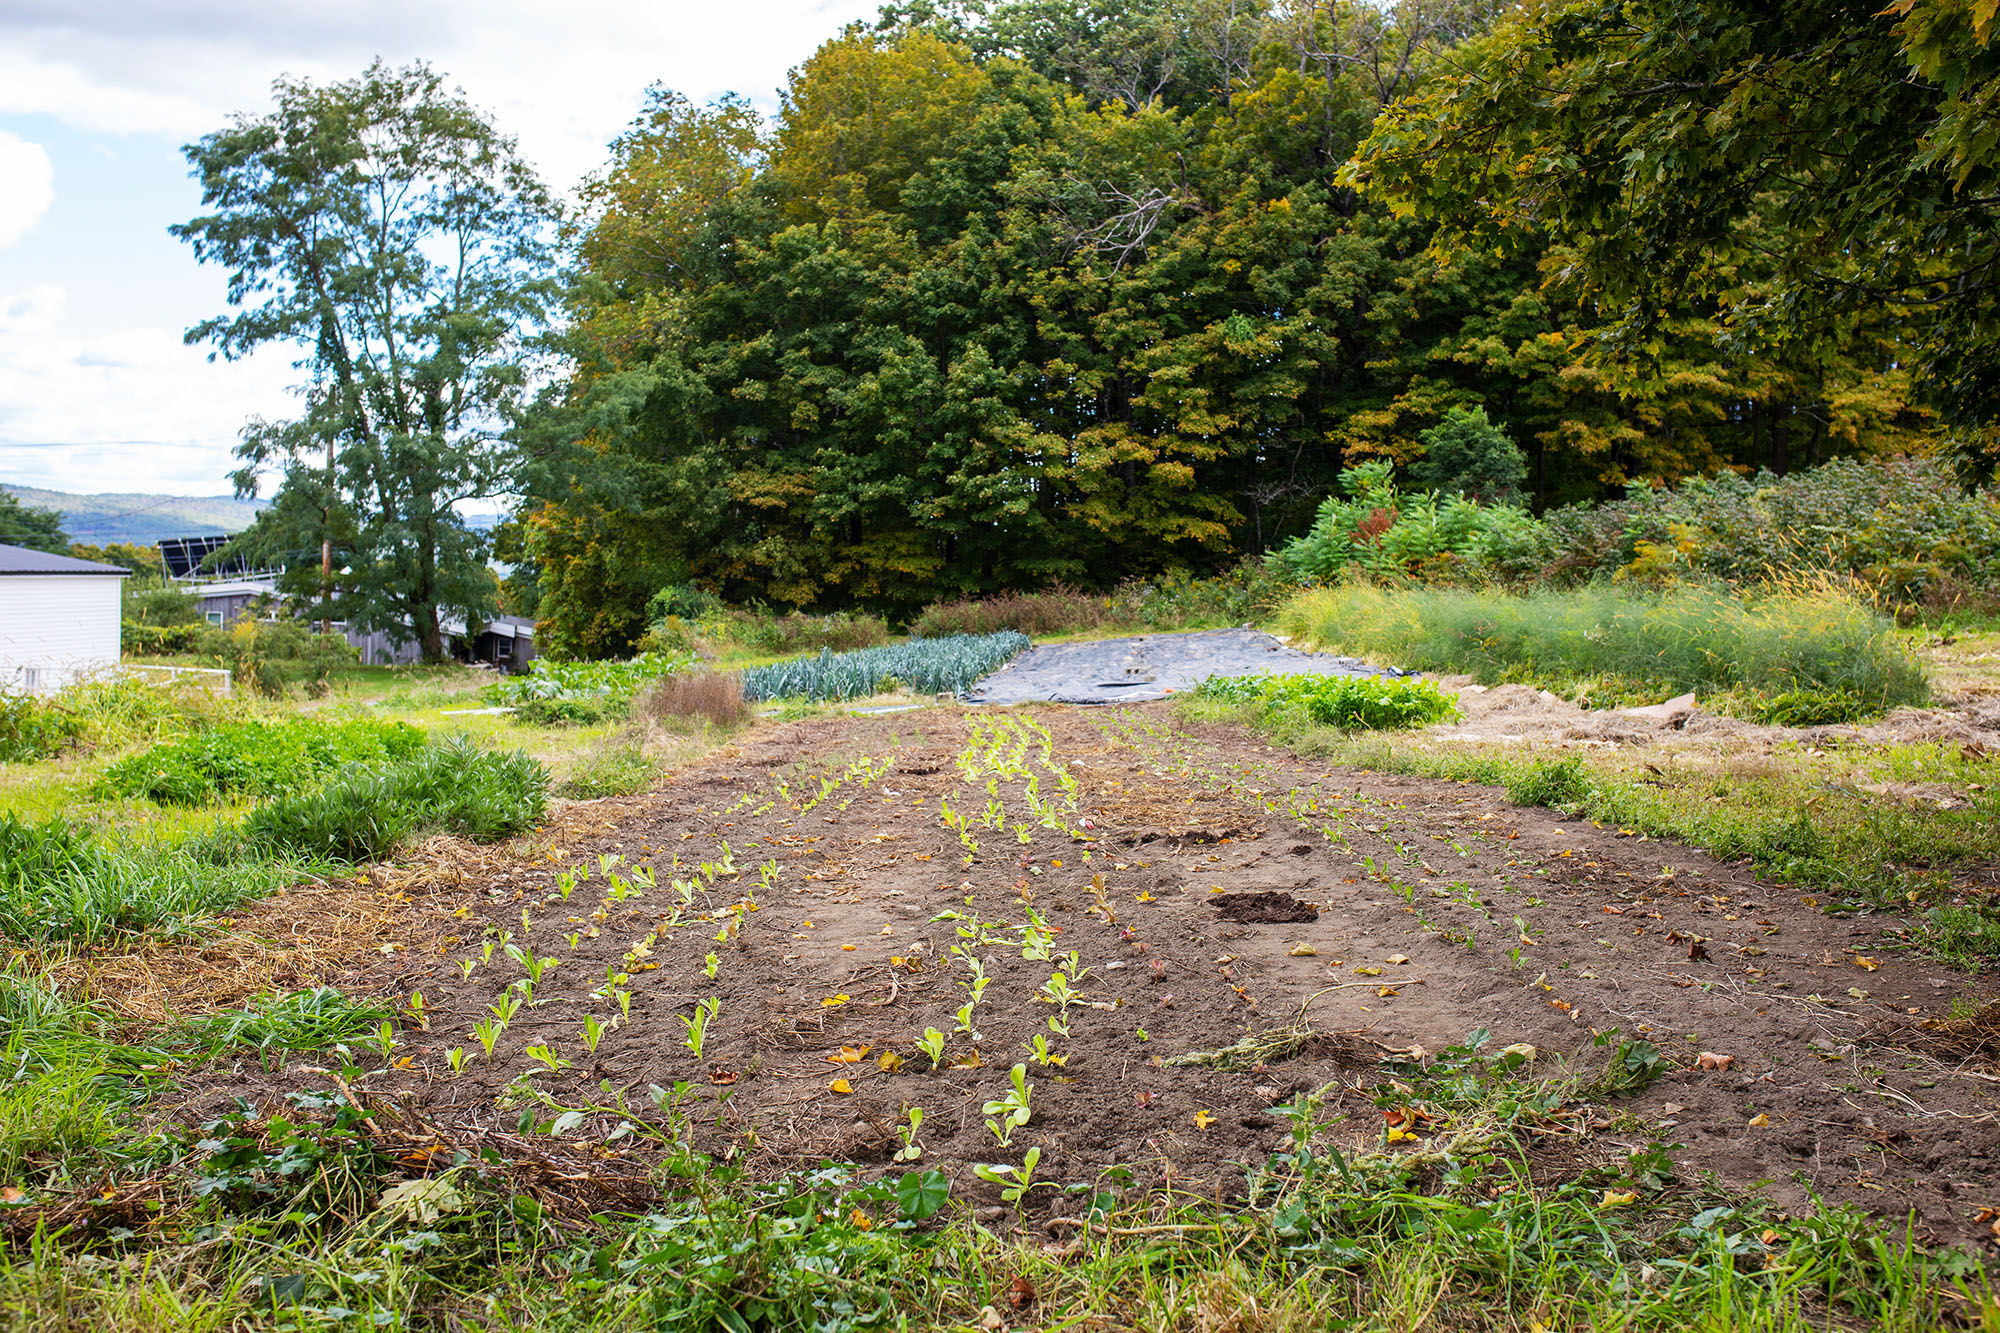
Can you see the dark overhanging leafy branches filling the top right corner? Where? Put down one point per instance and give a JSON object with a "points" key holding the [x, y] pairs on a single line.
{"points": [[1783, 169]]}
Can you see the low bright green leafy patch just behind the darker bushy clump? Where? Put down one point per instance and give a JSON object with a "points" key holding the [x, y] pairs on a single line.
{"points": [[255, 760]]}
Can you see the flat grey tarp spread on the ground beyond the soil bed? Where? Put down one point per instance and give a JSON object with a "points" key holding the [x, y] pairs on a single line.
{"points": [[1147, 668]]}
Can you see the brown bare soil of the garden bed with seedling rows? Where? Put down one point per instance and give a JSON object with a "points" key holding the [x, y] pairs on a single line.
{"points": [[1439, 910]]}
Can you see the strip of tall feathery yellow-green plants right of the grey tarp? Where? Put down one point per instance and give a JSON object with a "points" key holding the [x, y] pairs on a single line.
{"points": [[1687, 639]]}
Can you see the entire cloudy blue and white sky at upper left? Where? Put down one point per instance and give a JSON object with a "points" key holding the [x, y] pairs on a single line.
{"points": [[97, 97]]}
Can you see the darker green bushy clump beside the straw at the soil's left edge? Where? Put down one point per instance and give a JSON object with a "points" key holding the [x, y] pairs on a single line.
{"points": [[365, 812]]}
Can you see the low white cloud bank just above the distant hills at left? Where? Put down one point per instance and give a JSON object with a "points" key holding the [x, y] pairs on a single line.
{"points": [[131, 409]]}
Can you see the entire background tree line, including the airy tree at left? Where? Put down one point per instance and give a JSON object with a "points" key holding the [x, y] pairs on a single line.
{"points": [[1079, 291]]}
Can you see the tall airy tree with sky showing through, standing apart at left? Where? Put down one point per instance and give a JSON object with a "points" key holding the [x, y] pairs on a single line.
{"points": [[393, 235]]}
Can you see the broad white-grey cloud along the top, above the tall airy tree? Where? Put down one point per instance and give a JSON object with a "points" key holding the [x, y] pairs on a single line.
{"points": [[563, 77]]}
